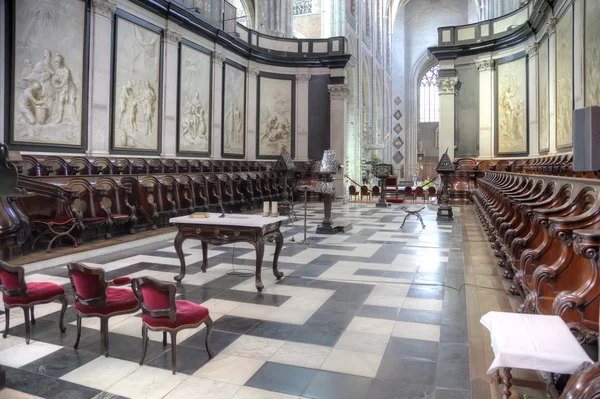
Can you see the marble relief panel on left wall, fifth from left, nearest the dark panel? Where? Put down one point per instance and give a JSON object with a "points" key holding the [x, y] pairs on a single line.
{"points": [[275, 116]]}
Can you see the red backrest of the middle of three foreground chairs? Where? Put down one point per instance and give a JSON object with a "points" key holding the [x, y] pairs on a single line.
{"points": [[89, 284]]}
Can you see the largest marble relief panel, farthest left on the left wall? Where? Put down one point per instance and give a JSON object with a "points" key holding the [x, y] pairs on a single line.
{"points": [[48, 72]]}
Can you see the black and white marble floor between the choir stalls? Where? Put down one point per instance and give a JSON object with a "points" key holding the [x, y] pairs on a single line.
{"points": [[362, 314]]}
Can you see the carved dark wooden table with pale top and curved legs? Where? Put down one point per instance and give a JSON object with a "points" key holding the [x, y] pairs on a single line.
{"points": [[217, 230]]}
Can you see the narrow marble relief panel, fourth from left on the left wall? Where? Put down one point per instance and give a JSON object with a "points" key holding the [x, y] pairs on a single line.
{"points": [[234, 110]]}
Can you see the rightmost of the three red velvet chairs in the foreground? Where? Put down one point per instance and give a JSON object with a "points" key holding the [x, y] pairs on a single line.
{"points": [[163, 313]]}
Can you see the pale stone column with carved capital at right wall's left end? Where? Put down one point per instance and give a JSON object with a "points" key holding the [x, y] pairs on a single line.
{"points": [[448, 87]]}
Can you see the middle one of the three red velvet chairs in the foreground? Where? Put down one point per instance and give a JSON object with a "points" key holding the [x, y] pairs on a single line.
{"points": [[96, 297]]}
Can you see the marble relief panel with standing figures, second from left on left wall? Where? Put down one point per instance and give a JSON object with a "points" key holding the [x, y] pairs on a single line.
{"points": [[137, 80]]}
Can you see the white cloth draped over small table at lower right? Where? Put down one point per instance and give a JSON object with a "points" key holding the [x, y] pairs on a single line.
{"points": [[533, 342]]}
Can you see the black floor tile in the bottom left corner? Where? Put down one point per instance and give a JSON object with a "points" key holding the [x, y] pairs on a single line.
{"points": [[44, 386]]}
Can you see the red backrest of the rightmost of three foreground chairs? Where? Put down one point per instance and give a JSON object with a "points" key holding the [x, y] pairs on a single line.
{"points": [[157, 299]]}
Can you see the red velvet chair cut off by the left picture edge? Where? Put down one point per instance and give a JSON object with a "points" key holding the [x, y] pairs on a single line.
{"points": [[16, 293]]}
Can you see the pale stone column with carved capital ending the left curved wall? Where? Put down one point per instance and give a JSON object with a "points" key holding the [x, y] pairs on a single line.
{"points": [[338, 98]]}
